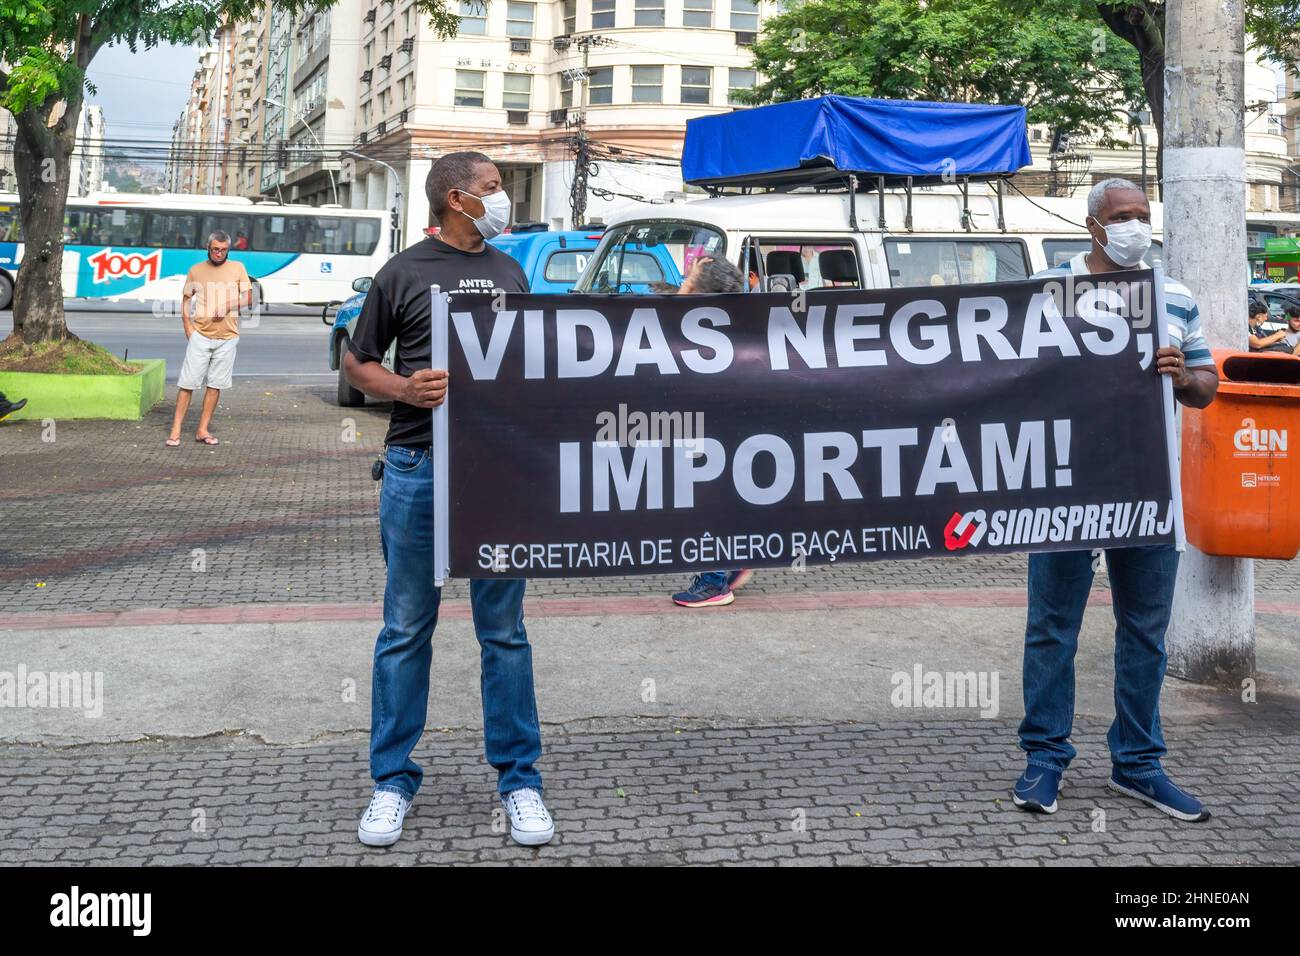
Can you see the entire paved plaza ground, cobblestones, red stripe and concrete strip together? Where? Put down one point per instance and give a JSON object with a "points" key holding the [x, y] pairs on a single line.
{"points": [[236, 699]]}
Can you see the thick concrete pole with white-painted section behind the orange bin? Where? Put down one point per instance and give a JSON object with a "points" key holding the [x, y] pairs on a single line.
{"points": [[1212, 634]]}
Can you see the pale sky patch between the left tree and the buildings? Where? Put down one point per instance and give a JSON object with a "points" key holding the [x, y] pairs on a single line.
{"points": [[142, 94]]}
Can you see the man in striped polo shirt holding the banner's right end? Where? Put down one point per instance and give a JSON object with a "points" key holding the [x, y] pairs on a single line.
{"points": [[1142, 579]]}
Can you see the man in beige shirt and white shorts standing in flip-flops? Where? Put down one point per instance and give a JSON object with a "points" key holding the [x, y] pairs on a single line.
{"points": [[215, 292]]}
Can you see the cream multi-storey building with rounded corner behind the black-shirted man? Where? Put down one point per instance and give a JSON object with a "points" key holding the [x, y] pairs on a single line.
{"points": [[514, 81]]}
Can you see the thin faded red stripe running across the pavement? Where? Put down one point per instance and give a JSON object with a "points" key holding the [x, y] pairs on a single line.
{"points": [[558, 608]]}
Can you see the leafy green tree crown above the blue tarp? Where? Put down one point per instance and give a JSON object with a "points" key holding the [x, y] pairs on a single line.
{"points": [[1047, 58]]}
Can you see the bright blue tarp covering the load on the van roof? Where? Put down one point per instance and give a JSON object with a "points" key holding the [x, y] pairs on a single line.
{"points": [[792, 142]]}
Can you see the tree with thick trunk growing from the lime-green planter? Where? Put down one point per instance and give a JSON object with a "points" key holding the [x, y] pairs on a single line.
{"points": [[46, 47]]}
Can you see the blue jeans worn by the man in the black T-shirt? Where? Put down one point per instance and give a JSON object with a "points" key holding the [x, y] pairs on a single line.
{"points": [[400, 694]]}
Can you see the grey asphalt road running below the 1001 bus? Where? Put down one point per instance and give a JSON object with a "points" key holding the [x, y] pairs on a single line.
{"points": [[289, 344]]}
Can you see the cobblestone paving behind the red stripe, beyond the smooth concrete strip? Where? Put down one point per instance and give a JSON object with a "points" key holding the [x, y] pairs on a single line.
{"points": [[106, 517]]}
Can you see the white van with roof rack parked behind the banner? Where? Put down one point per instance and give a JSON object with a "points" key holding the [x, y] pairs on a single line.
{"points": [[818, 240]]}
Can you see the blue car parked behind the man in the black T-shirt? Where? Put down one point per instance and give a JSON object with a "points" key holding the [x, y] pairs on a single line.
{"points": [[551, 261]]}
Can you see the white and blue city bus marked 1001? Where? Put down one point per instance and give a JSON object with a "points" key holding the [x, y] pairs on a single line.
{"points": [[136, 246]]}
